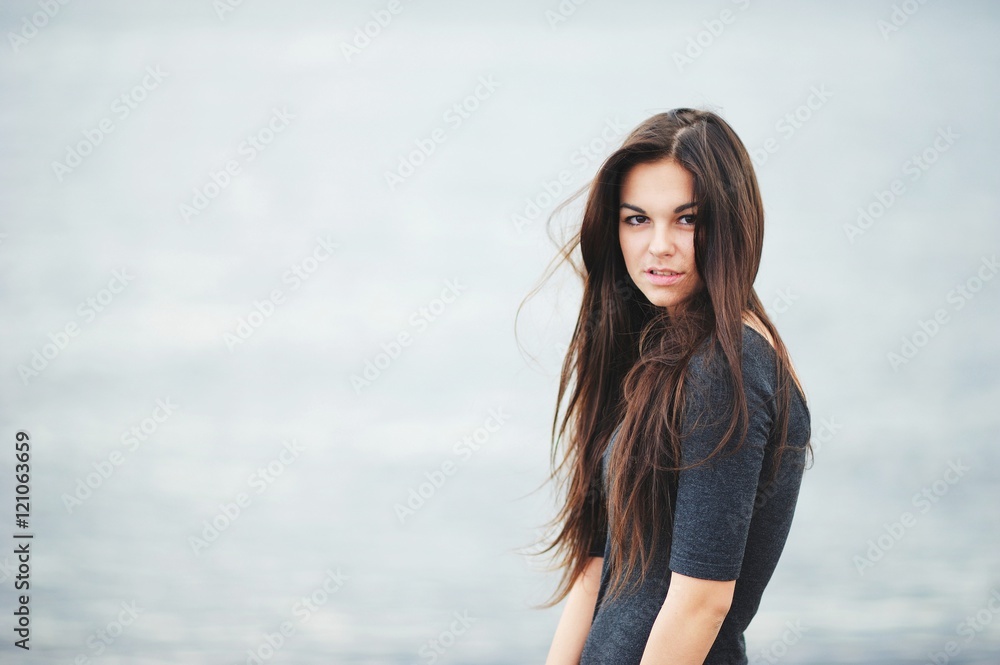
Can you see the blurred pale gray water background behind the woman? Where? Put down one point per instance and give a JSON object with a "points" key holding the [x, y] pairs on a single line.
{"points": [[241, 348]]}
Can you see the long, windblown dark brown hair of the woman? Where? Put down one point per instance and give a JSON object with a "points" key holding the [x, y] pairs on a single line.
{"points": [[627, 359]]}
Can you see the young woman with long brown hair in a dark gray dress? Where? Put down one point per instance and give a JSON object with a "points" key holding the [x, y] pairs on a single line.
{"points": [[685, 433]]}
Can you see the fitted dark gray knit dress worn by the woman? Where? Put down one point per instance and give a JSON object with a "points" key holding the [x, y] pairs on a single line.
{"points": [[728, 523]]}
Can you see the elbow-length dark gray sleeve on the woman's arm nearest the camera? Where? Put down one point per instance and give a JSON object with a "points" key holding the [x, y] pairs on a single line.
{"points": [[715, 501]]}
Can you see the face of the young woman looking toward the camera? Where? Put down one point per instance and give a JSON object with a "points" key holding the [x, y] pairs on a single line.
{"points": [[656, 231]]}
